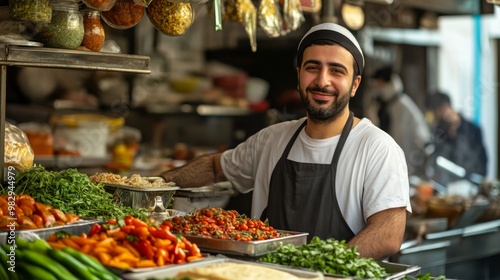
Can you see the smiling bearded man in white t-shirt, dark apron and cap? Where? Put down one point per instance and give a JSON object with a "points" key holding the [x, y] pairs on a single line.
{"points": [[329, 174]]}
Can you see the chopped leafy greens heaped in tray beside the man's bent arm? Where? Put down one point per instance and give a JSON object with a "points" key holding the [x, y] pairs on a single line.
{"points": [[328, 256]]}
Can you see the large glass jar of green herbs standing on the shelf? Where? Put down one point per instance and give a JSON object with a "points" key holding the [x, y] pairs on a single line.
{"points": [[65, 29]]}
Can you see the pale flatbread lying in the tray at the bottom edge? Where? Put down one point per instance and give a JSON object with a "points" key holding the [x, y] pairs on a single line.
{"points": [[233, 270]]}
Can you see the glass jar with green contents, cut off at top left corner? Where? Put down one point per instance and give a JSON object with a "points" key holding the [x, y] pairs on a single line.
{"points": [[30, 10]]}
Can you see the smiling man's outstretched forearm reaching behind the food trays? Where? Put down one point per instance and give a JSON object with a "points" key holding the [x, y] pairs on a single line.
{"points": [[198, 172]]}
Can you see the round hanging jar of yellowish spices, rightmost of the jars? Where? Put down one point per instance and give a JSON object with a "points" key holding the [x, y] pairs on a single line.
{"points": [[172, 19]]}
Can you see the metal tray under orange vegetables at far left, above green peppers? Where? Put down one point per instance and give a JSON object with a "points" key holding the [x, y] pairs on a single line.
{"points": [[82, 226]]}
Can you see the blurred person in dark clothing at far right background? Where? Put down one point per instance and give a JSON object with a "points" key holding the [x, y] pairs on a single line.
{"points": [[455, 139]]}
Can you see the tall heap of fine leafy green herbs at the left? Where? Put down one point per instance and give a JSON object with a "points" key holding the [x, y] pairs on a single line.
{"points": [[71, 192]]}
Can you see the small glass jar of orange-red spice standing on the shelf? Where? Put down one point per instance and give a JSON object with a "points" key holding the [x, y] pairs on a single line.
{"points": [[94, 35]]}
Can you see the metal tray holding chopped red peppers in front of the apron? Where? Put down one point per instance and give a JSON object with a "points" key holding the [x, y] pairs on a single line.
{"points": [[247, 248]]}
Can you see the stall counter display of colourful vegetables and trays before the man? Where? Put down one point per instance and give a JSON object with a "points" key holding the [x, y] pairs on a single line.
{"points": [[132, 235]]}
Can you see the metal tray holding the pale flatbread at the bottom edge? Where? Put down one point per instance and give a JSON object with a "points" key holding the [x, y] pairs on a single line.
{"points": [[171, 271]]}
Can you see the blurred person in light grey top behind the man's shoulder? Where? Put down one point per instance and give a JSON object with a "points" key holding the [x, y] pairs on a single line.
{"points": [[400, 117]]}
